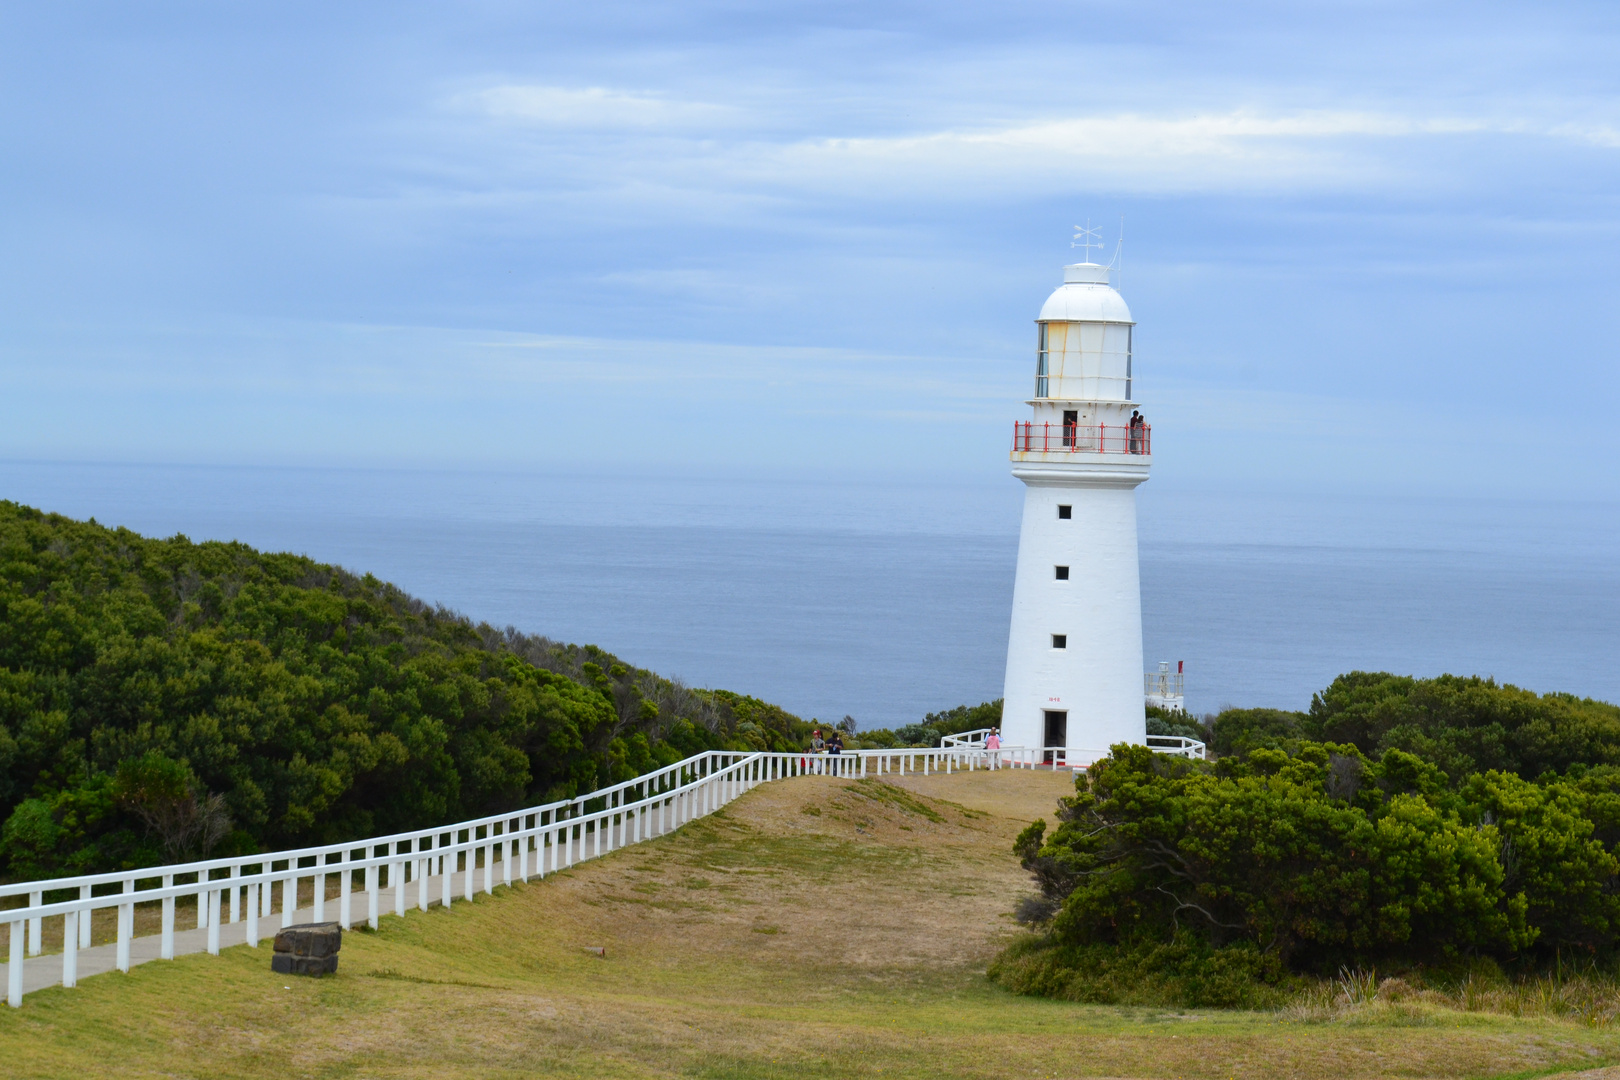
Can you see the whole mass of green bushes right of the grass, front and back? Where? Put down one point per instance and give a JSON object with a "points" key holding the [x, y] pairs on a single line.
{"points": [[1399, 823]]}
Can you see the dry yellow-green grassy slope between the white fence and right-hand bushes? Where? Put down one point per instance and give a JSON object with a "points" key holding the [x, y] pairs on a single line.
{"points": [[814, 929]]}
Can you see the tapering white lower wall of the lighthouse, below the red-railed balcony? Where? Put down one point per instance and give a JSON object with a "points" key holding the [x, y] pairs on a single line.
{"points": [[1098, 679]]}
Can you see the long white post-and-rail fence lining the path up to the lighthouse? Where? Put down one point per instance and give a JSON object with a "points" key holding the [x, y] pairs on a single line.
{"points": [[522, 844]]}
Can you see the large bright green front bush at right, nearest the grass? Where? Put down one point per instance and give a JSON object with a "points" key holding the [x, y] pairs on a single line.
{"points": [[1321, 857]]}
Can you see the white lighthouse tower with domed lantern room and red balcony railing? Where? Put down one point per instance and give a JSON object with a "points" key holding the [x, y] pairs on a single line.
{"points": [[1075, 655]]}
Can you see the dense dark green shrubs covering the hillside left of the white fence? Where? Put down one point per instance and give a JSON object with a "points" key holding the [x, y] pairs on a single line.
{"points": [[163, 699]]}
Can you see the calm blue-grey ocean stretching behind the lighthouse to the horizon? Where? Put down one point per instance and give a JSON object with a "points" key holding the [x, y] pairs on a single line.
{"points": [[887, 600]]}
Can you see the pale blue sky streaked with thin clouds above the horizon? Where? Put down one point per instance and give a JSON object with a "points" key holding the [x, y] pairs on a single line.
{"points": [[1368, 245]]}
